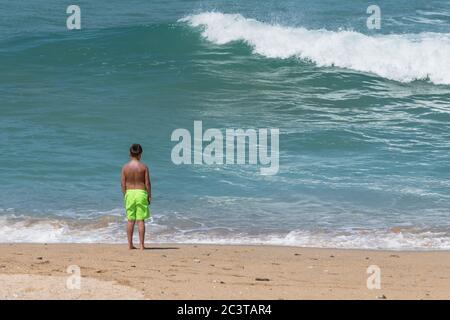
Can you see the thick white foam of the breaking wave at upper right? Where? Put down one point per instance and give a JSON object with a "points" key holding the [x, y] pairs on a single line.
{"points": [[404, 58]]}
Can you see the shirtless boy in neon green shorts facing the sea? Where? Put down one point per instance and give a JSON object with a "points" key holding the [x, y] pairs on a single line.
{"points": [[137, 191]]}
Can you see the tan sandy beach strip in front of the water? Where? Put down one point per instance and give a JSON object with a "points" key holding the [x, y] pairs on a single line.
{"points": [[173, 271]]}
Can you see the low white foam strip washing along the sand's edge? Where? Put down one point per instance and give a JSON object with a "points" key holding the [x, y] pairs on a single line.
{"points": [[34, 230]]}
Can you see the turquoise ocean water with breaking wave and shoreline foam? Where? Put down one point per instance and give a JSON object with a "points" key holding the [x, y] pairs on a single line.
{"points": [[364, 119]]}
